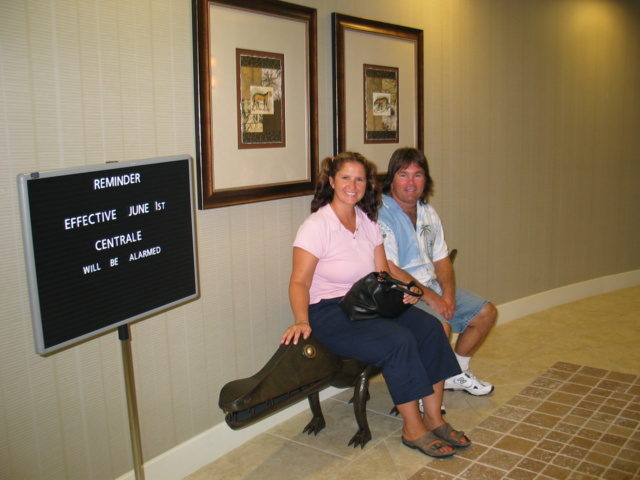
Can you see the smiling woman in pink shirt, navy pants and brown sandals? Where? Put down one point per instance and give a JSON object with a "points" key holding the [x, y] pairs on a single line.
{"points": [[339, 243]]}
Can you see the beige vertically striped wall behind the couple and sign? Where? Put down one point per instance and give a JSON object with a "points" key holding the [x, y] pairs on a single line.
{"points": [[532, 121]]}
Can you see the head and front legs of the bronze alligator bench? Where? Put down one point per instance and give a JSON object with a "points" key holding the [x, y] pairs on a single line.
{"points": [[293, 373]]}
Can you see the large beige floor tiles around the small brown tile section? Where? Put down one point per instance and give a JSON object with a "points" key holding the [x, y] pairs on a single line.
{"points": [[601, 332]]}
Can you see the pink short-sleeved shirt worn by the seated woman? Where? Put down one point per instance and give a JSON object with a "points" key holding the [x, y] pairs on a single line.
{"points": [[343, 257]]}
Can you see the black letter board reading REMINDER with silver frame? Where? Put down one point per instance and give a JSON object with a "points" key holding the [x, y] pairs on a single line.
{"points": [[107, 245]]}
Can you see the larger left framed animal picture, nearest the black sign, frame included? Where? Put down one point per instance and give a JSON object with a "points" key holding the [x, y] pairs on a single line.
{"points": [[255, 143]]}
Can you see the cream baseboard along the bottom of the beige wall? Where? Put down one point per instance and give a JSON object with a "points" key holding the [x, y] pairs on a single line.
{"points": [[203, 449]]}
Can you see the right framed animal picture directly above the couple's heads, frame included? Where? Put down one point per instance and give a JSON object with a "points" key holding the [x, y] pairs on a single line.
{"points": [[379, 87]]}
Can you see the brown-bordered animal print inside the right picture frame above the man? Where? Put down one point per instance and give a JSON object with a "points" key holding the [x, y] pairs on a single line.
{"points": [[380, 104]]}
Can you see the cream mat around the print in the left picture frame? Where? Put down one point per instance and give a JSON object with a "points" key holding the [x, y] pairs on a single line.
{"points": [[235, 168]]}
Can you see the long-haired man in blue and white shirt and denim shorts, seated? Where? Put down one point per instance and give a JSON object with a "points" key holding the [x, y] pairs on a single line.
{"points": [[416, 250]]}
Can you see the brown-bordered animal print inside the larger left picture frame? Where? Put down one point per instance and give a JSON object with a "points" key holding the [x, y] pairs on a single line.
{"points": [[260, 79]]}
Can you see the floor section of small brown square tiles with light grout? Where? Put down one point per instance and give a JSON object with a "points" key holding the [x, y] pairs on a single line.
{"points": [[573, 422]]}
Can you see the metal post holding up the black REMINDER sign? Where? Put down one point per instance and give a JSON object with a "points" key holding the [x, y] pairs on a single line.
{"points": [[132, 404]]}
